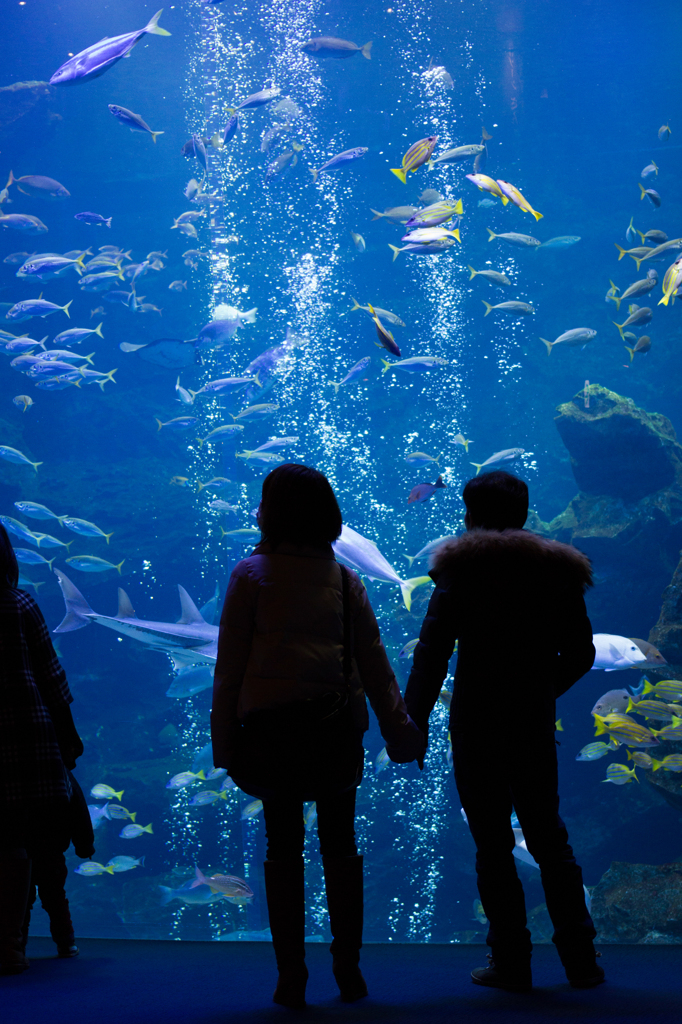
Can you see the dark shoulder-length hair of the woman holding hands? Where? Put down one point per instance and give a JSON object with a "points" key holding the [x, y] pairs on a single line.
{"points": [[299, 505]]}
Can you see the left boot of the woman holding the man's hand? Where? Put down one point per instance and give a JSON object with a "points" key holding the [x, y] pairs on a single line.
{"points": [[286, 908]]}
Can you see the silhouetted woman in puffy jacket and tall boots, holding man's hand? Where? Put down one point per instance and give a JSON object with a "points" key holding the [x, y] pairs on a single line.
{"points": [[300, 648]]}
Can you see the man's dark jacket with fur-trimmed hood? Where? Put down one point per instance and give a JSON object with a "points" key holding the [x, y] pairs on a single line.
{"points": [[515, 602]]}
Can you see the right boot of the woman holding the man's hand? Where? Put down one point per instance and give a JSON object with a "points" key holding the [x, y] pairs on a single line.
{"points": [[344, 881]]}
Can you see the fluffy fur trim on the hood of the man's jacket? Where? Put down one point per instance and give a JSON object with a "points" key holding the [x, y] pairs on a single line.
{"points": [[464, 552]]}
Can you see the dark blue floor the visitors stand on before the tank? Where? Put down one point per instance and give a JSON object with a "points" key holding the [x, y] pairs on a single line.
{"points": [[131, 983]]}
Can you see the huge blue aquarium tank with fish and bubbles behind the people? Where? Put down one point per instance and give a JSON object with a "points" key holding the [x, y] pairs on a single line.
{"points": [[234, 192]]}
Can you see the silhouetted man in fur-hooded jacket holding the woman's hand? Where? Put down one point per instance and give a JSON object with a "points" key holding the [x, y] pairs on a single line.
{"points": [[516, 604]]}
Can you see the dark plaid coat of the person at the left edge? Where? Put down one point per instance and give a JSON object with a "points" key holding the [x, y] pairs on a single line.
{"points": [[32, 682]]}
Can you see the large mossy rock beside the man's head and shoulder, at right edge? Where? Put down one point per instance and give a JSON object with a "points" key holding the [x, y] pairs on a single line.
{"points": [[628, 517]]}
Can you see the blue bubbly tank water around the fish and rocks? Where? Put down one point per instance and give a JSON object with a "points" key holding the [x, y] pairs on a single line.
{"points": [[574, 97]]}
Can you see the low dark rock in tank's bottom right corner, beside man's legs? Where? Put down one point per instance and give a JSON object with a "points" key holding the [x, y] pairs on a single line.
{"points": [[640, 904]]}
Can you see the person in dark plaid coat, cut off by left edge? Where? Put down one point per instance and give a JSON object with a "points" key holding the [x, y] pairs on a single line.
{"points": [[37, 737]]}
